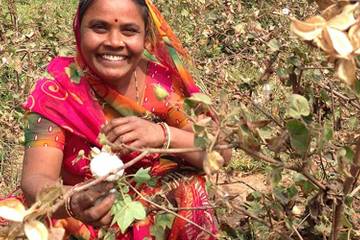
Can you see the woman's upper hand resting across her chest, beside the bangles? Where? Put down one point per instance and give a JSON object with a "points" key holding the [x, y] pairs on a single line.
{"points": [[135, 132]]}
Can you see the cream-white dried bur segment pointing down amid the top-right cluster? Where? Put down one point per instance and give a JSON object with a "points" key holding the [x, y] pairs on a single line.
{"points": [[340, 42]]}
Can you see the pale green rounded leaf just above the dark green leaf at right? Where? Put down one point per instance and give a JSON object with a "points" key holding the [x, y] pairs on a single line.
{"points": [[298, 106]]}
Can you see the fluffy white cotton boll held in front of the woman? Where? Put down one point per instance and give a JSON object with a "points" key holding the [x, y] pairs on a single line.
{"points": [[104, 163]]}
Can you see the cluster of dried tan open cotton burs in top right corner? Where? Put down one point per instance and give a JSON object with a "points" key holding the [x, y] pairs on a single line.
{"points": [[336, 32]]}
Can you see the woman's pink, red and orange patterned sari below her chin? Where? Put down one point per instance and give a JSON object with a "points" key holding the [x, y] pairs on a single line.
{"points": [[80, 107]]}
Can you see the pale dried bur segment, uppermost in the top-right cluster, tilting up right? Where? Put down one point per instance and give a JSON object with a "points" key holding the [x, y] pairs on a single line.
{"points": [[344, 20]]}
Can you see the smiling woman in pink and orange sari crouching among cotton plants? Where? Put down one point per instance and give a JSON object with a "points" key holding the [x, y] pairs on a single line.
{"points": [[109, 87]]}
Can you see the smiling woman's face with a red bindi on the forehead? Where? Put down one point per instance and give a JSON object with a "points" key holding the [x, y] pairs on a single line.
{"points": [[113, 38]]}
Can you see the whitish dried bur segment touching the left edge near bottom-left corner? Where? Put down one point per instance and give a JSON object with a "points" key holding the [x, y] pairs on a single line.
{"points": [[12, 210]]}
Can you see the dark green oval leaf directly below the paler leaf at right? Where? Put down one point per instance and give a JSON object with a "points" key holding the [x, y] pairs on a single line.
{"points": [[299, 136]]}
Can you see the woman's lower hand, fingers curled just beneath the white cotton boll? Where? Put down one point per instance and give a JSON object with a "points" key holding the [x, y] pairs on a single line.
{"points": [[93, 206]]}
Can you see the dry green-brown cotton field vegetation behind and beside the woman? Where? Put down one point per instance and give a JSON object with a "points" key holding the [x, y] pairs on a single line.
{"points": [[245, 57]]}
